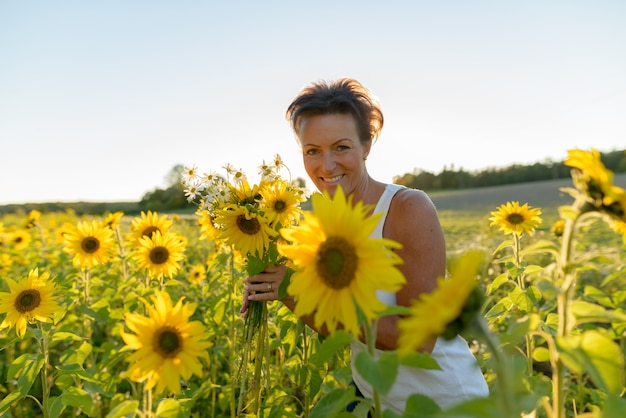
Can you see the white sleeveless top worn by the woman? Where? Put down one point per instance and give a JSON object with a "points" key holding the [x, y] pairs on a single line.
{"points": [[460, 377]]}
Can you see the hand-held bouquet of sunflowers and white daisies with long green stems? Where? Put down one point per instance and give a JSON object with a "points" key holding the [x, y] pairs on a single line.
{"points": [[247, 217]]}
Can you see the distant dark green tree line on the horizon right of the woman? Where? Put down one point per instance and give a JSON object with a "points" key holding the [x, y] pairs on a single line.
{"points": [[450, 179]]}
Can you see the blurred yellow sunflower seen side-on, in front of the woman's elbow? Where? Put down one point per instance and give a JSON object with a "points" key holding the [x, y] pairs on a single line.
{"points": [[432, 312]]}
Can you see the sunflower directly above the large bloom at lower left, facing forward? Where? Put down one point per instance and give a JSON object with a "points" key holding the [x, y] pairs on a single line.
{"points": [[160, 254]]}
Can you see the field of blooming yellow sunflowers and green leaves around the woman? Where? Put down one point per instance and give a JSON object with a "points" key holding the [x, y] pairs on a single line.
{"points": [[124, 315]]}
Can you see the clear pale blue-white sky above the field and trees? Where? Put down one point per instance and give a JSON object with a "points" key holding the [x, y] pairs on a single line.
{"points": [[99, 100]]}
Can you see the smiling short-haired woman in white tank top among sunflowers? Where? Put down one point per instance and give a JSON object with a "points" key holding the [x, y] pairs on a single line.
{"points": [[336, 124]]}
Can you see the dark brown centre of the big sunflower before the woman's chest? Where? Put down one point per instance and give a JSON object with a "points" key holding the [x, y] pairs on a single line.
{"points": [[336, 262]]}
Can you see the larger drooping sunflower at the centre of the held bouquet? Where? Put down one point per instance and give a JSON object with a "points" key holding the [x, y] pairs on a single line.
{"points": [[244, 229]]}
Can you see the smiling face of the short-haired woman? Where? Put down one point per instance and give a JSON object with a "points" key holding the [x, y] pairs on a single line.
{"points": [[332, 152]]}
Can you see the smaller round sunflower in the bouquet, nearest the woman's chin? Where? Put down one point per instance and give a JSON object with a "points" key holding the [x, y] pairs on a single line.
{"points": [[281, 202]]}
